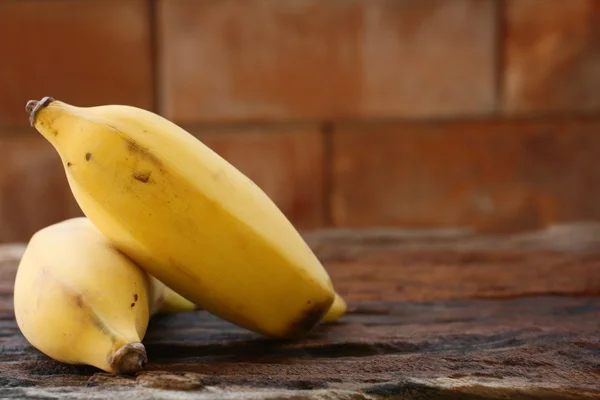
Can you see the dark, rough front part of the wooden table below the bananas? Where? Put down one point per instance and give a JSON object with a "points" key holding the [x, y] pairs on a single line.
{"points": [[534, 348]]}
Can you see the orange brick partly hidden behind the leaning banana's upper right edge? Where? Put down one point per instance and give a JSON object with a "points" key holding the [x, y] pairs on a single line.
{"points": [[286, 162]]}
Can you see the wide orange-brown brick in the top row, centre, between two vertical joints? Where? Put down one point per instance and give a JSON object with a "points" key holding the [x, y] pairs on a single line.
{"points": [[237, 60]]}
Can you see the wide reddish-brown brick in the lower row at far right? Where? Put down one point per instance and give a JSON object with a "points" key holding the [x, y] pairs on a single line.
{"points": [[493, 176]]}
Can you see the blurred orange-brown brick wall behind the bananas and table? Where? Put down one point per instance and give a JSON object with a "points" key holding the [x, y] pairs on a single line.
{"points": [[419, 114]]}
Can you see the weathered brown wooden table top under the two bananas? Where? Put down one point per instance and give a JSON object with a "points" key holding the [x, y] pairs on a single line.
{"points": [[441, 314]]}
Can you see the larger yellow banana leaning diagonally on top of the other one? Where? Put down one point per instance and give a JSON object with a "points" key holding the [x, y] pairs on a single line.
{"points": [[187, 216]]}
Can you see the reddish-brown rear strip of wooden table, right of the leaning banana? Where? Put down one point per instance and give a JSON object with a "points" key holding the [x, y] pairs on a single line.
{"points": [[405, 265]]}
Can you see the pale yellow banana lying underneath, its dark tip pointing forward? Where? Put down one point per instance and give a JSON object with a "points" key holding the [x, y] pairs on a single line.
{"points": [[80, 301]]}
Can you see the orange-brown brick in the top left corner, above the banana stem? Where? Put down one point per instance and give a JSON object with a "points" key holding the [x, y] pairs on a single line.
{"points": [[83, 52]]}
